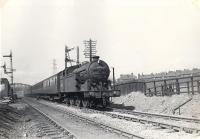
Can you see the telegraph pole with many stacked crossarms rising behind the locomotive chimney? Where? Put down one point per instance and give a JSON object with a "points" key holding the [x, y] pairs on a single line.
{"points": [[90, 49]]}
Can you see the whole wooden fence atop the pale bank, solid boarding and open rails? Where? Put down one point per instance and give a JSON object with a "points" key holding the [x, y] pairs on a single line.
{"points": [[162, 87]]}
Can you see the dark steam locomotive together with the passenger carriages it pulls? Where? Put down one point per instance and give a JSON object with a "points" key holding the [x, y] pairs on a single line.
{"points": [[84, 85]]}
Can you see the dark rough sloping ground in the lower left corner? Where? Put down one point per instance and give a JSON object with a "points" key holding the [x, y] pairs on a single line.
{"points": [[19, 121]]}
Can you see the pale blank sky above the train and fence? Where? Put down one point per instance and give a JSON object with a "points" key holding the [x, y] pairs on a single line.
{"points": [[134, 36]]}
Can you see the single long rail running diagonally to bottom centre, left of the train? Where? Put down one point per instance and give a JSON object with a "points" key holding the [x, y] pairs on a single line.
{"points": [[101, 125]]}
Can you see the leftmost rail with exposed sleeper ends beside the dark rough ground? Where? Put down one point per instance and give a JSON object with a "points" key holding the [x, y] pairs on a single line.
{"points": [[48, 127]]}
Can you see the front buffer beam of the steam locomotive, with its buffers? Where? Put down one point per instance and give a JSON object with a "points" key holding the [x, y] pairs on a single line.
{"points": [[100, 94]]}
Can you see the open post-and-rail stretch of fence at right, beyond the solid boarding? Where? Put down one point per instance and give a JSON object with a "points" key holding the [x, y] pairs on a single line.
{"points": [[170, 86]]}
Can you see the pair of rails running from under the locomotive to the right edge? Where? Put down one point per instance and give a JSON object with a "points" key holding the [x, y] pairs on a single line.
{"points": [[163, 125]]}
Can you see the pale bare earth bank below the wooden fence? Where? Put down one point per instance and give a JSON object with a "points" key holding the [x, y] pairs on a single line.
{"points": [[162, 105]]}
